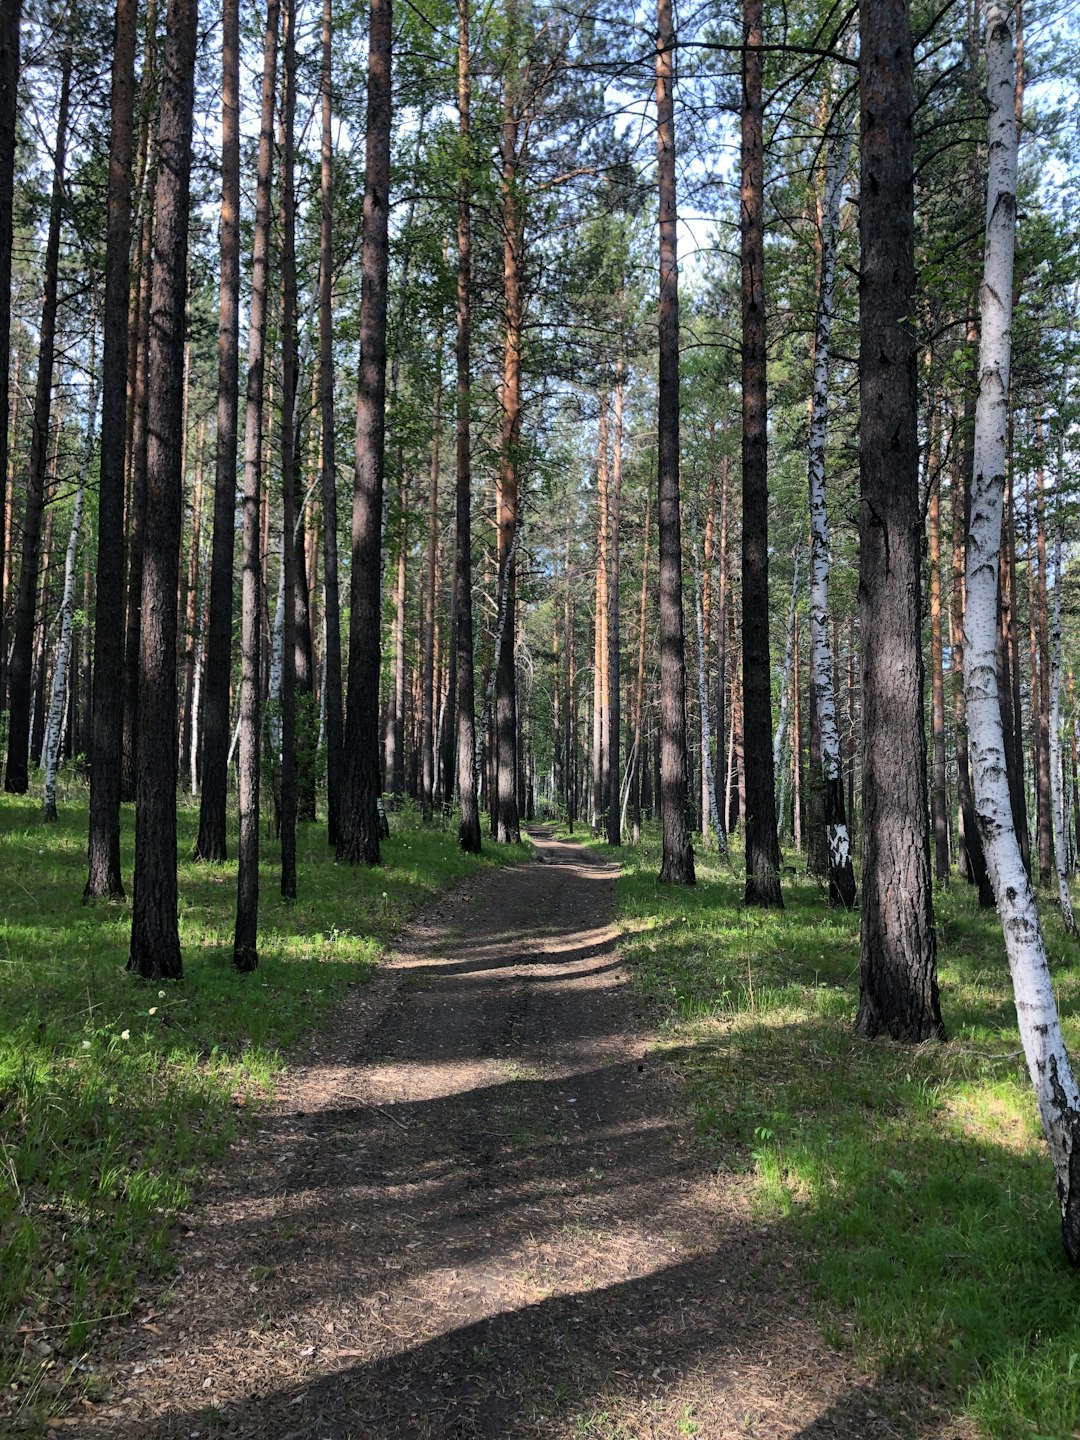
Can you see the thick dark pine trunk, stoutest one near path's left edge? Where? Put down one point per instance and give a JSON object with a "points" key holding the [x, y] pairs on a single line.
{"points": [[359, 819]]}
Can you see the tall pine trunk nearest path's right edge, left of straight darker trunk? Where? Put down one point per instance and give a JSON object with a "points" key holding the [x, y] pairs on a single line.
{"points": [[678, 866]]}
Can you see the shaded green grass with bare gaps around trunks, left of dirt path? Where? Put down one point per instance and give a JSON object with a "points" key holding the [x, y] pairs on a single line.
{"points": [[117, 1098]]}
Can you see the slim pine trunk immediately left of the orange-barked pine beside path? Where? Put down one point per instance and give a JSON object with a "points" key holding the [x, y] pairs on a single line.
{"points": [[469, 829]]}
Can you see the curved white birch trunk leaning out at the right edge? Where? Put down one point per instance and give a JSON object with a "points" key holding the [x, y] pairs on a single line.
{"points": [[1040, 1030]]}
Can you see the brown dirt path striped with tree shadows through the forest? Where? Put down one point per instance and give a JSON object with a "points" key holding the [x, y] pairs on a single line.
{"points": [[479, 1213]]}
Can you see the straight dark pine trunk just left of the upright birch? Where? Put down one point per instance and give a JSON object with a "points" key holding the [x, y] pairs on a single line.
{"points": [[762, 845]]}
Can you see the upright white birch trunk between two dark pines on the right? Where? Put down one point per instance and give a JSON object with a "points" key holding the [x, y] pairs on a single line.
{"points": [[837, 836]]}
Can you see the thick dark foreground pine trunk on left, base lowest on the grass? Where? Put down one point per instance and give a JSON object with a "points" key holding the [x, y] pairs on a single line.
{"points": [[155, 931]]}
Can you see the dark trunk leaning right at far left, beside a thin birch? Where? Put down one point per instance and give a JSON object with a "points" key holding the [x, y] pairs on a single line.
{"points": [[21, 678]]}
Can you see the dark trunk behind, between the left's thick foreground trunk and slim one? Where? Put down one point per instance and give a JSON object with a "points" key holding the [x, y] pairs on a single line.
{"points": [[215, 773]]}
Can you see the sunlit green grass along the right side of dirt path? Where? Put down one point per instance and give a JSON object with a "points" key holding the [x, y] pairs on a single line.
{"points": [[915, 1180]]}
